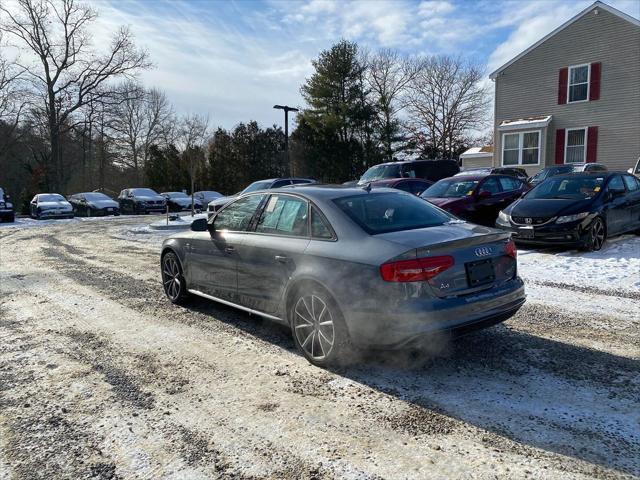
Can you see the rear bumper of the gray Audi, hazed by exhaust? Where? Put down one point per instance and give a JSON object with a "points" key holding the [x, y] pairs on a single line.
{"points": [[423, 317]]}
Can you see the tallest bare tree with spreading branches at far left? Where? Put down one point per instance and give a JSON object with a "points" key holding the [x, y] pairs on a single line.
{"points": [[64, 68]]}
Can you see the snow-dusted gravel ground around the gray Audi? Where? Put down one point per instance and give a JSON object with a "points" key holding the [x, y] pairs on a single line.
{"points": [[101, 377]]}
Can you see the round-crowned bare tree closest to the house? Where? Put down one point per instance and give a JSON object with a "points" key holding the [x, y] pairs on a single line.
{"points": [[446, 103]]}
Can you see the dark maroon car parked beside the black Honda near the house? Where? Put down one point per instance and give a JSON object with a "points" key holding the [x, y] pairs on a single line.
{"points": [[476, 198]]}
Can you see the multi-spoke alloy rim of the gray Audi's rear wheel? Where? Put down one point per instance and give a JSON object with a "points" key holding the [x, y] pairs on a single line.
{"points": [[314, 327]]}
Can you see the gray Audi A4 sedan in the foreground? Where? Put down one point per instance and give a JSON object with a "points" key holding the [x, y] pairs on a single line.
{"points": [[347, 267]]}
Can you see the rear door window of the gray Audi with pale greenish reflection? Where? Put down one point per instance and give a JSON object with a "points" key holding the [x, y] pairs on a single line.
{"points": [[284, 215]]}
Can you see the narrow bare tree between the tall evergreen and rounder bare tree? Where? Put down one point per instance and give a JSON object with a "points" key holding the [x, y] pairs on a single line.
{"points": [[389, 76]]}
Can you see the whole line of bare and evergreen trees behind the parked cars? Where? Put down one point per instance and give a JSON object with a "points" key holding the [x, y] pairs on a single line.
{"points": [[77, 118]]}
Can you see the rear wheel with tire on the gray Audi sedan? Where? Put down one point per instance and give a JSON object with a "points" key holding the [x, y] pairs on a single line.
{"points": [[318, 327]]}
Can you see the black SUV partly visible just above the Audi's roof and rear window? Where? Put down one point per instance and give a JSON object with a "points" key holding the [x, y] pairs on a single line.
{"points": [[432, 170]]}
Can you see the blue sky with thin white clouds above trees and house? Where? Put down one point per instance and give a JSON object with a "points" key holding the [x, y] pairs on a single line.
{"points": [[233, 60]]}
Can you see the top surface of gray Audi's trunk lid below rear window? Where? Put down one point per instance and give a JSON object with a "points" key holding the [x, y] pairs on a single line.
{"points": [[455, 231]]}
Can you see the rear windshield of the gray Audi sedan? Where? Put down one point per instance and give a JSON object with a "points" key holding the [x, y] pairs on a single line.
{"points": [[391, 212]]}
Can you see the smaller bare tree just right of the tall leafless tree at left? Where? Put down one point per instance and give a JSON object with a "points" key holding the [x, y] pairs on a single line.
{"points": [[142, 118]]}
